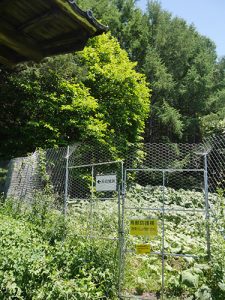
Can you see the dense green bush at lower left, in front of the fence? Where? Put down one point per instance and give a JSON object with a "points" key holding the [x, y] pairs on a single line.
{"points": [[38, 260]]}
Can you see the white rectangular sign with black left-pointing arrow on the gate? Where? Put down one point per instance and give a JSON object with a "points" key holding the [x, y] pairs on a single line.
{"points": [[106, 183]]}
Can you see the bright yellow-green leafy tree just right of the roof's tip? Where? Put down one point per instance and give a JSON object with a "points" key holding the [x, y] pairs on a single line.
{"points": [[121, 92]]}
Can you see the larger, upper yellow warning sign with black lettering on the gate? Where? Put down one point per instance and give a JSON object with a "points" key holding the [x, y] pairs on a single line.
{"points": [[144, 227]]}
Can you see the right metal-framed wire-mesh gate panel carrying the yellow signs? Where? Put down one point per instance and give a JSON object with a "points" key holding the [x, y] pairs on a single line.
{"points": [[175, 202]]}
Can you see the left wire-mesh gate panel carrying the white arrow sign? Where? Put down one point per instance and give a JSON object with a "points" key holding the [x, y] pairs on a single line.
{"points": [[94, 192]]}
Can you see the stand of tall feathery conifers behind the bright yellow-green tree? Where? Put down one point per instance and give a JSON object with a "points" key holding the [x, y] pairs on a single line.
{"points": [[179, 63]]}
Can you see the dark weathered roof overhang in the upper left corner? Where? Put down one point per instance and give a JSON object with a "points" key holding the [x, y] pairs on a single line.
{"points": [[32, 30]]}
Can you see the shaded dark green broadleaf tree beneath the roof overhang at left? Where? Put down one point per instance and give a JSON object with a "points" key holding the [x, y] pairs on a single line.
{"points": [[45, 110]]}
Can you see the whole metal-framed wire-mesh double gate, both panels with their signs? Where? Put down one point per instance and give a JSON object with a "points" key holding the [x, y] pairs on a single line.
{"points": [[106, 187]]}
